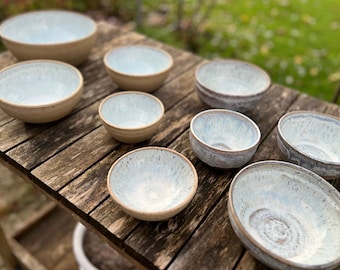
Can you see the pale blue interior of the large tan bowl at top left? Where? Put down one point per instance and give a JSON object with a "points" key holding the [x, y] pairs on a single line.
{"points": [[47, 27]]}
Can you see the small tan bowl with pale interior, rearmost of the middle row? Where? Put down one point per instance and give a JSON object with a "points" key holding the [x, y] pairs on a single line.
{"points": [[137, 67]]}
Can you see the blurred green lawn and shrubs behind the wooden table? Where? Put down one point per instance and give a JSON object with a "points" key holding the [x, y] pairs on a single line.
{"points": [[295, 41]]}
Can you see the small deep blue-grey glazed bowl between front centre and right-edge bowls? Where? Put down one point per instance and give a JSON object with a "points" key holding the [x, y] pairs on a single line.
{"points": [[223, 138]]}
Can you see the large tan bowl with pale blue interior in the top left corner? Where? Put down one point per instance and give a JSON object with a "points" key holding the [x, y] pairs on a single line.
{"points": [[49, 34]]}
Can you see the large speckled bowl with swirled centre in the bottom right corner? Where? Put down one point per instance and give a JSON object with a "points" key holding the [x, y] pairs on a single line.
{"points": [[286, 215]]}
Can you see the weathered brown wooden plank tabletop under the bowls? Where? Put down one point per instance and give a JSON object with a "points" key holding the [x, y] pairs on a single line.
{"points": [[69, 160]]}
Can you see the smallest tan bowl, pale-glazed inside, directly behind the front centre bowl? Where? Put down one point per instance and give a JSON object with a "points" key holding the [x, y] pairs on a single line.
{"points": [[131, 116]]}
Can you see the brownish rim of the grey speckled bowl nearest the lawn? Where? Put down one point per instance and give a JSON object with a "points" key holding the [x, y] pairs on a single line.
{"points": [[235, 62]]}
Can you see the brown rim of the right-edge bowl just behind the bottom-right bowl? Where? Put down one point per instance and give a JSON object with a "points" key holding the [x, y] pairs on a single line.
{"points": [[305, 112]]}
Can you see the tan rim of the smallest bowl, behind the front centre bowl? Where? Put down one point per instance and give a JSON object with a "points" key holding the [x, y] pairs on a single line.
{"points": [[147, 95]]}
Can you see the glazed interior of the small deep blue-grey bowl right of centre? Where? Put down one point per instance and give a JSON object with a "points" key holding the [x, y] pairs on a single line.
{"points": [[225, 130]]}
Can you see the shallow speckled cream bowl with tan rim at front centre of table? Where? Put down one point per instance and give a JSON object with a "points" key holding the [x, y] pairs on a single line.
{"points": [[152, 183]]}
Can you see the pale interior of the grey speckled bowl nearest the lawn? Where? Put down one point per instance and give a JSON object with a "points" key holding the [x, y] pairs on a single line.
{"points": [[230, 77]]}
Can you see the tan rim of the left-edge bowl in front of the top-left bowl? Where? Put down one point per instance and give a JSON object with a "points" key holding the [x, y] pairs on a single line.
{"points": [[74, 92]]}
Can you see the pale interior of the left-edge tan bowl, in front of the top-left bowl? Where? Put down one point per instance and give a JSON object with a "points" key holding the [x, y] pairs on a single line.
{"points": [[38, 83]]}
